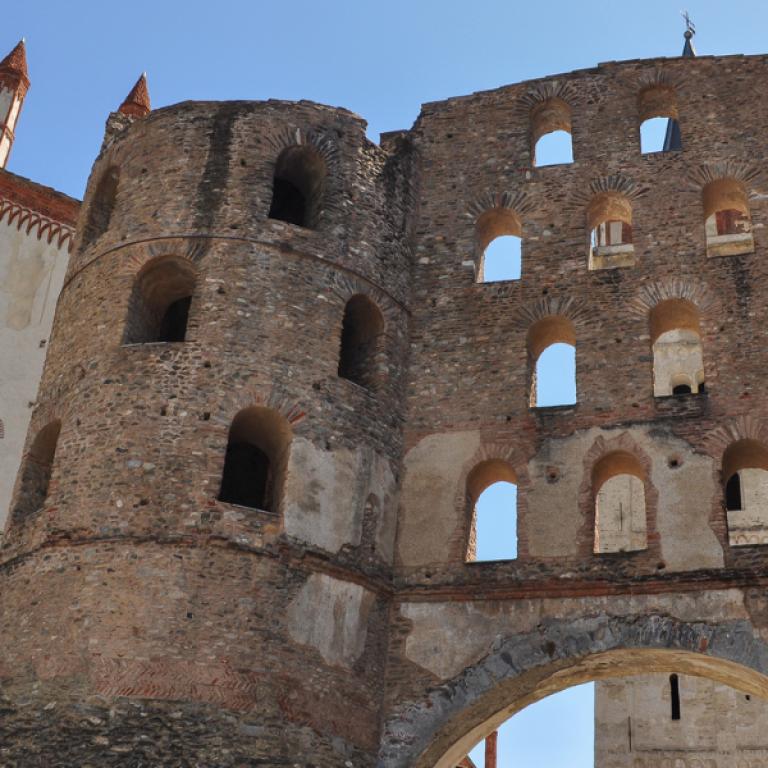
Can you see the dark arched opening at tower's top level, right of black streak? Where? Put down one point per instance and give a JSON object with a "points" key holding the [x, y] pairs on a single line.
{"points": [[297, 186]]}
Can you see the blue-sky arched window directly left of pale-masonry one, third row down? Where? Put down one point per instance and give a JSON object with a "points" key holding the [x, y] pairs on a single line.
{"points": [[551, 344]]}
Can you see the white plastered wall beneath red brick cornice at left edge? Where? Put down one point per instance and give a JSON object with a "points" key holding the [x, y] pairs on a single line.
{"points": [[31, 276]]}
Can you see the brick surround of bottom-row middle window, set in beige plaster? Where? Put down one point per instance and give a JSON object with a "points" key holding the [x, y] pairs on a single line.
{"points": [[601, 448]]}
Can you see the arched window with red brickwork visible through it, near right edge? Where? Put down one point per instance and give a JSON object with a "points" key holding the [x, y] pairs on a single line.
{"points": [[727, 221]]}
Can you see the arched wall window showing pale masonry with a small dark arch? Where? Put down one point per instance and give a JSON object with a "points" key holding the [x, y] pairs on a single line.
{"points": [[678, 360]]}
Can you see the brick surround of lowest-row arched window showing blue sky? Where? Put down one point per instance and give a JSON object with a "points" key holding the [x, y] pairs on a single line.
{"points": [[487, 451]]}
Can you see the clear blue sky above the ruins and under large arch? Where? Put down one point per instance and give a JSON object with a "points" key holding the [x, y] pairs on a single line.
{"points": [[381, 60]]}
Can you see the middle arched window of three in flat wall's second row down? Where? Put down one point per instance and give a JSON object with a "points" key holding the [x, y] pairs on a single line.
{"points": [[609, 221]]}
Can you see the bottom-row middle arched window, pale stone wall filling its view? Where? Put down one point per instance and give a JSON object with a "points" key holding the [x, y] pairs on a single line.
{"points": [[618, 485]]}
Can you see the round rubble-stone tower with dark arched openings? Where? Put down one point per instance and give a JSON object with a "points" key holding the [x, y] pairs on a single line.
{"points": [[197, 557]]}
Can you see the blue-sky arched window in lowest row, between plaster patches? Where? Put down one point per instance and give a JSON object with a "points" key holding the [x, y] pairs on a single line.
{"points": [[492, 498]]}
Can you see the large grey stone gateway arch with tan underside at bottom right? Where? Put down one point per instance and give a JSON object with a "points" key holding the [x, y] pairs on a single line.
{"points": [[436, 730]]}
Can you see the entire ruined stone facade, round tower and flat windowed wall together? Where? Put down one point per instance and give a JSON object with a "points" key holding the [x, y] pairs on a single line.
{"points": [[258, 293]]}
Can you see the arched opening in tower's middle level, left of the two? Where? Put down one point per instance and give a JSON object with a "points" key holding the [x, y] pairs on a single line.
{"points": [[159, 305]]}
